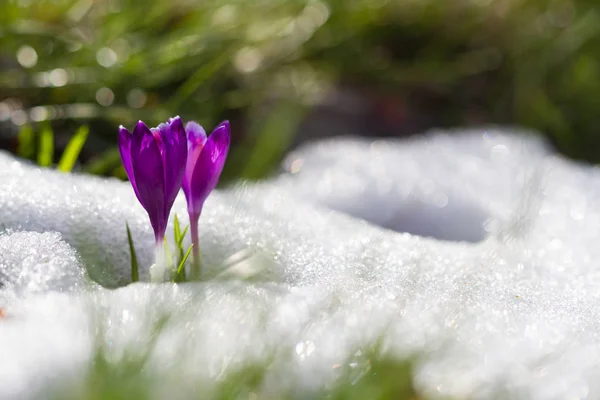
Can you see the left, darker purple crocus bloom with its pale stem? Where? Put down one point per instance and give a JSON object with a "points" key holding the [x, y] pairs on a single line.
{"points": [[155, 160]]}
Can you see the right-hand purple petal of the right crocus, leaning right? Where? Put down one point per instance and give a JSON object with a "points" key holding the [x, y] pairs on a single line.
{"points": [[207, 168]]}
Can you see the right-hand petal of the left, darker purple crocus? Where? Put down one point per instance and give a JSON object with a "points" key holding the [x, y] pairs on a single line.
{"points": [[174, 153]]}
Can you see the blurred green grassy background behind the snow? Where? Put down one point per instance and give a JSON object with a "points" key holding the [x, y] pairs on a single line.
{"points": [[286, 71]]}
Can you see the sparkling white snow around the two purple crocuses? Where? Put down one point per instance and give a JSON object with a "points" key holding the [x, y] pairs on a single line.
{"points": [[475, 253]]}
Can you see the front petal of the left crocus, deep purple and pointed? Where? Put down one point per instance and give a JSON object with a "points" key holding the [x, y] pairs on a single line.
{"points": [[148, 172]]}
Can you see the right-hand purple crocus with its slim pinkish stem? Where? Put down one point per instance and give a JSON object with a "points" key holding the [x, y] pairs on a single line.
{"points": [[206, 157]]}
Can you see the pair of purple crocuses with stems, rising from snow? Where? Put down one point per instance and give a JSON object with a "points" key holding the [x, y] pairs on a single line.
{"points": [[159, 161]]}
